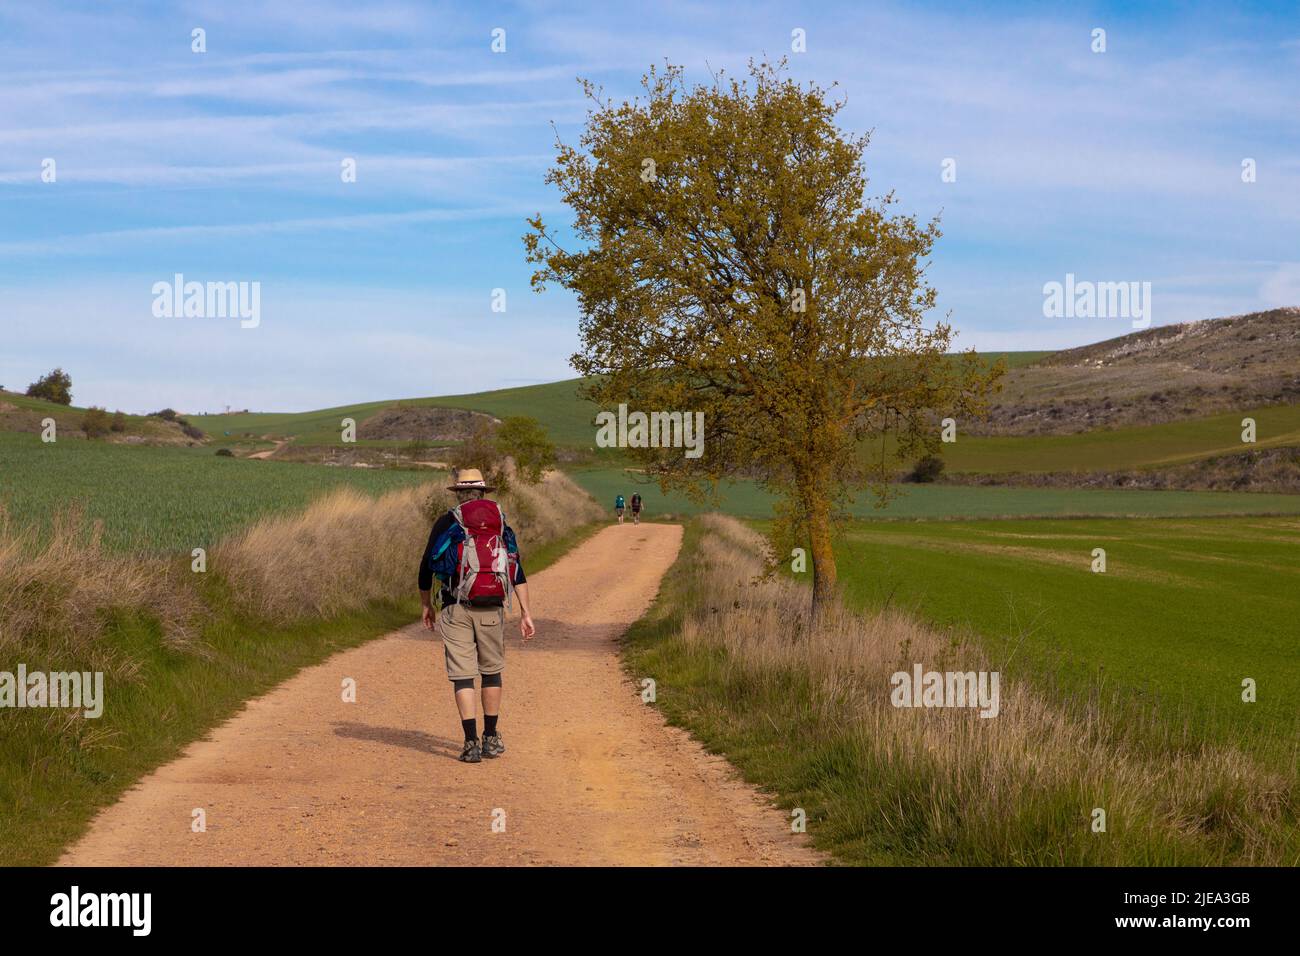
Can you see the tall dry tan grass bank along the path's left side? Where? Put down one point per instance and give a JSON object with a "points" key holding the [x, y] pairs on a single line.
{"points": [[59, 587]]}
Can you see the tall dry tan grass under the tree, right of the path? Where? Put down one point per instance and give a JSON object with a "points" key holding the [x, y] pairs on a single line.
{"points": [[947, 784]]}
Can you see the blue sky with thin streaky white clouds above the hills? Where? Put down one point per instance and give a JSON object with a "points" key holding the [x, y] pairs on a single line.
{"points": [[1124, 166]]}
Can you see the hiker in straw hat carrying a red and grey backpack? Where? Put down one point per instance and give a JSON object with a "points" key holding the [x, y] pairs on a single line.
{"points": [[475, 557]]}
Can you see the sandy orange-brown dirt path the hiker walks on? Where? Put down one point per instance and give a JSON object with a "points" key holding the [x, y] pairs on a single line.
{"points": [[592, 776]]}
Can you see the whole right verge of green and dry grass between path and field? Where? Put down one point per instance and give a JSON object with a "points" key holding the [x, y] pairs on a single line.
{"points": [[807, 713]]}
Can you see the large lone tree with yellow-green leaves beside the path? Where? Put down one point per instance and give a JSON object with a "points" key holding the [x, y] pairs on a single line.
{"points": [[727, 261]]}
